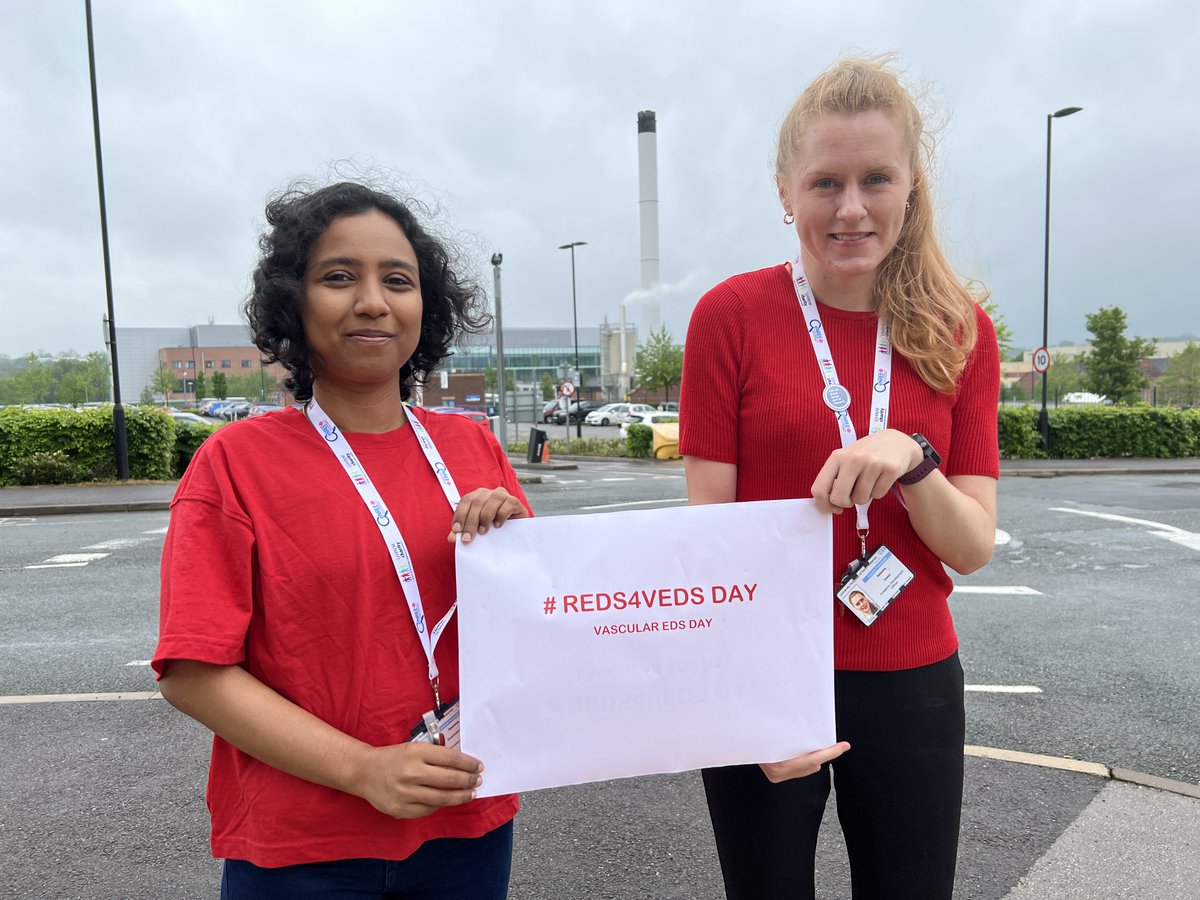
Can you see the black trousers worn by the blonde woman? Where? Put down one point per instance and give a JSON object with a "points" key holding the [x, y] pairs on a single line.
{"points": [[899, 796]]}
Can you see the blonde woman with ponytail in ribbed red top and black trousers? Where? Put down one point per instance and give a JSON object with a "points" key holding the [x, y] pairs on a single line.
{"points": [[861, 375]]}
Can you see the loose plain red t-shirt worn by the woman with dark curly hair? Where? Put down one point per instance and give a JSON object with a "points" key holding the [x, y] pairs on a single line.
{"points": [[273, 562]]}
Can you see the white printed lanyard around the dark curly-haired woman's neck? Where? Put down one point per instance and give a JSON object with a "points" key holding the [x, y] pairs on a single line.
{"points": [[397, 548]]}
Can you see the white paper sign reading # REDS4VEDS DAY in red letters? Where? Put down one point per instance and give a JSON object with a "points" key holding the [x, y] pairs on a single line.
{"points": [[632, 644]]}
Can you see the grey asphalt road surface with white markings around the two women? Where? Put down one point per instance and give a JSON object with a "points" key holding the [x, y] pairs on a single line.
{"points": [[106, 800]]}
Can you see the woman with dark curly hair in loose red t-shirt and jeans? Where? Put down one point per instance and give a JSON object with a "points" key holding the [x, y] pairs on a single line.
{"points": [[309, 555]]}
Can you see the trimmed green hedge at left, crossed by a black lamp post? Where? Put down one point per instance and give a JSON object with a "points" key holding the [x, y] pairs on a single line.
{"points": [[67, 446]]}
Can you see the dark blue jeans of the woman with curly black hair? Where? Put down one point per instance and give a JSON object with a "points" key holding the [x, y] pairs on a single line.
{"points": [[445, 869]]}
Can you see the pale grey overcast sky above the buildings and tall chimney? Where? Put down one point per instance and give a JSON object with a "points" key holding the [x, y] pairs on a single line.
{"points": [[518, 121]]}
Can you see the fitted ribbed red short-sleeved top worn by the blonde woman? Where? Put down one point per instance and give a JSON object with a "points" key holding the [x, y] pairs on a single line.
{"points": [[752, 397]]}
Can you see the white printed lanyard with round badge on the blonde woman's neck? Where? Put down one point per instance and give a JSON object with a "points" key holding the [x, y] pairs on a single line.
{"points": [[835, 395]]}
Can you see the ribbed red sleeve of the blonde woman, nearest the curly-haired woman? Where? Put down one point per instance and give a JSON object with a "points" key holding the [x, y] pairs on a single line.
{"points": [[711, 391]]}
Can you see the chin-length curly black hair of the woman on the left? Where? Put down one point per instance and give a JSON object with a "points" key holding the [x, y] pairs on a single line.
{"points": [[452, 304]]}
